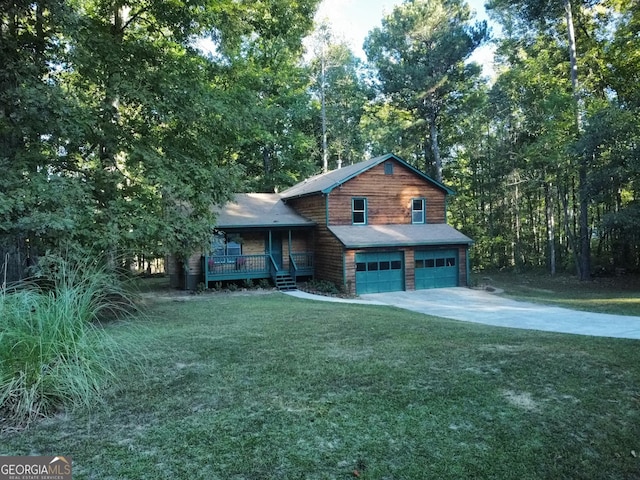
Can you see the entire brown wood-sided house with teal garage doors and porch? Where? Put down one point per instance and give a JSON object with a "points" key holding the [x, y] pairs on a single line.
{"points": [[378, 225]]}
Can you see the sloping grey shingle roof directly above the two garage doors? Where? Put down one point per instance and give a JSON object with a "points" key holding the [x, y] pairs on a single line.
{"points": [[370, 236]]}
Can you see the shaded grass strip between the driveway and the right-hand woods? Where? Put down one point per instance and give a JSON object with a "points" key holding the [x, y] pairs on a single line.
{"points": [[616, 295]]}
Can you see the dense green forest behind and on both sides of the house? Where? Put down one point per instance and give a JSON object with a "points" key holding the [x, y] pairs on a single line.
{"points": [[118, 131]]}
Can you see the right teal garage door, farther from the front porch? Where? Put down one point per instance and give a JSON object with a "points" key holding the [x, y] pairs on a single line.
{"points": [[436, 269]]}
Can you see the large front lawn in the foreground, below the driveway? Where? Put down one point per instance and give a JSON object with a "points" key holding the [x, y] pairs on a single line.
{"points": [[273, 387]]}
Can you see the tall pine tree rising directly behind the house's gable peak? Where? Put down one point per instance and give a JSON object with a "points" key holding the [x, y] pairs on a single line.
{"points": [[420, 53]]}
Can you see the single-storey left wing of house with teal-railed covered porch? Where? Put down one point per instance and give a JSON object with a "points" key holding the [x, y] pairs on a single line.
{"points": [[256, 236]]}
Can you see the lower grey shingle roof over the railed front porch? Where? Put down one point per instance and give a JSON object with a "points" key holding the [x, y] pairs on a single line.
{"points": [[259, 210]]}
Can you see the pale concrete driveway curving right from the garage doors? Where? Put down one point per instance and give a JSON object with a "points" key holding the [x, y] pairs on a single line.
{"points": [[479, 306]]}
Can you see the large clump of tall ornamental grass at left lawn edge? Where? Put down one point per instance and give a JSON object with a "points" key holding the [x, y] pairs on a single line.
{"points": [[54, 353]]}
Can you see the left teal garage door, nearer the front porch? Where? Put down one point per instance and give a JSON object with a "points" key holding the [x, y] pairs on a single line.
{"points": [[379, 272]]}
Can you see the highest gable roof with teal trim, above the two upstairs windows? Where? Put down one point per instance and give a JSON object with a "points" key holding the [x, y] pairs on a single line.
{"points": [[326, 182]]}
